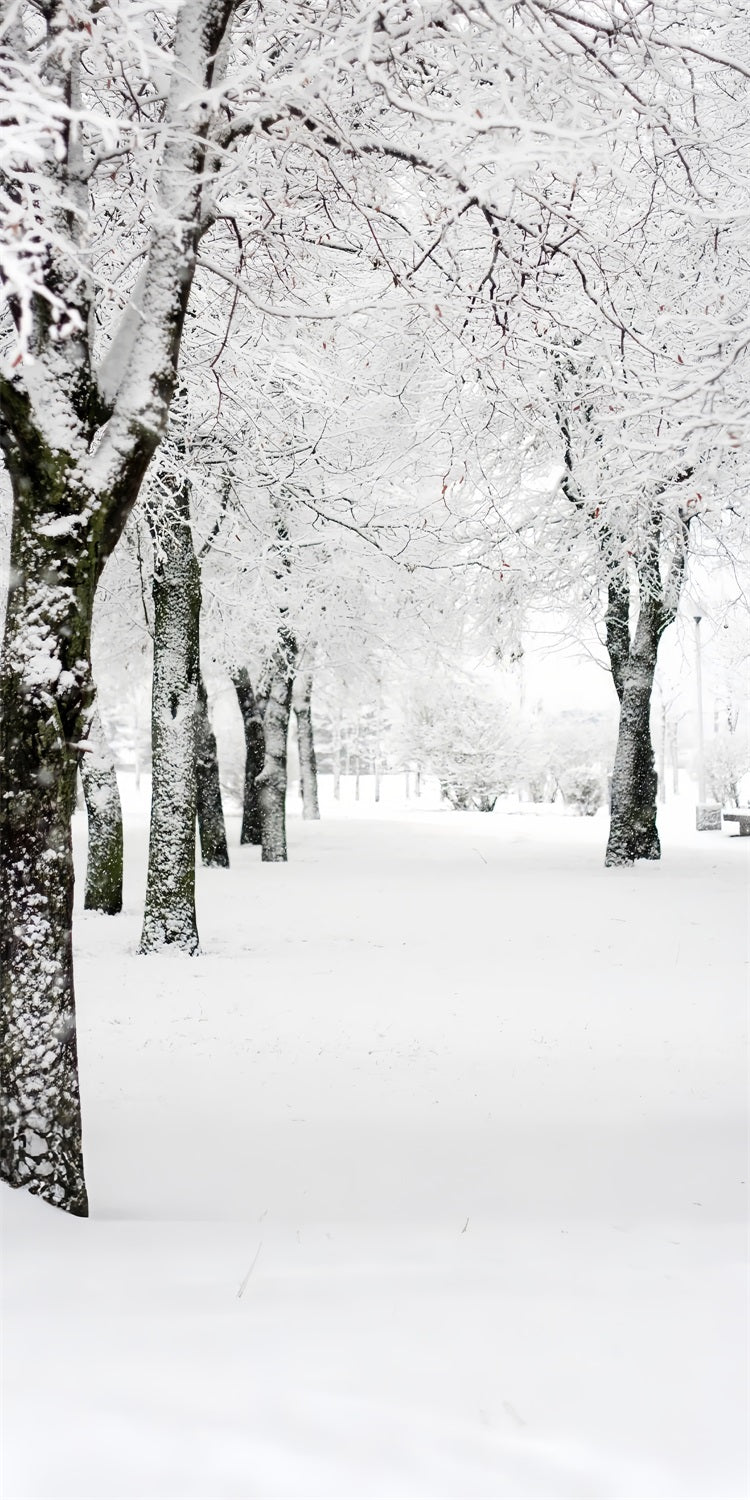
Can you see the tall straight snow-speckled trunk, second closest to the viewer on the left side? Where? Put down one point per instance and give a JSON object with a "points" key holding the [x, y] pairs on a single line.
{"points": [[170, 893]]}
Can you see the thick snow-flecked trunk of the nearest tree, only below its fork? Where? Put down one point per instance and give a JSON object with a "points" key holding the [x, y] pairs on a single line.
{"points": [[44, 692]]}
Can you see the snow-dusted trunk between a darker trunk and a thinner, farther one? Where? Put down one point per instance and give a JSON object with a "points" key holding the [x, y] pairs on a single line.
{"points": [[272, 781]]}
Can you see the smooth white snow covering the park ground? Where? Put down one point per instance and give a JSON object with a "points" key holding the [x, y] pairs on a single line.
{"points": [[425, 1180]]}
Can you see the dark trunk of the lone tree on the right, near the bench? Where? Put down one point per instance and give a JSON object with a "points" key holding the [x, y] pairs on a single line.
{"points": [[634, 829]]}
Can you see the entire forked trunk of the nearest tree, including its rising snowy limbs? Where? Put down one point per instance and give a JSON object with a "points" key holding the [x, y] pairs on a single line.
{"points": [[77, 445]]}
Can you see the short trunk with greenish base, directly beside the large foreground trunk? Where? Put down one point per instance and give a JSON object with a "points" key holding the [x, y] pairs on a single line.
{"points": [[104, 865]]}
